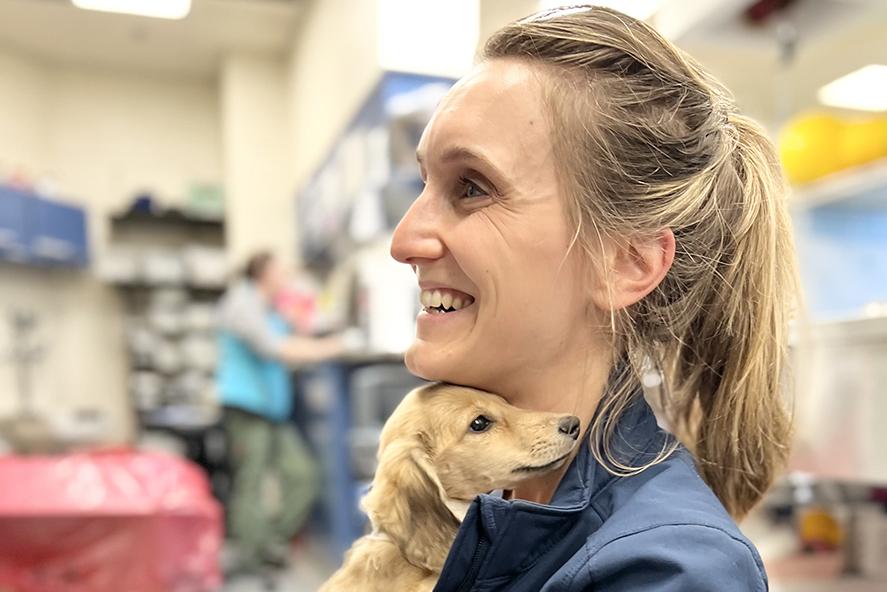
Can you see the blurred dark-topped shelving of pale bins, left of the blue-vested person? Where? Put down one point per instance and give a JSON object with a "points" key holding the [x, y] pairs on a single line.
{"points": [[167, 313]]}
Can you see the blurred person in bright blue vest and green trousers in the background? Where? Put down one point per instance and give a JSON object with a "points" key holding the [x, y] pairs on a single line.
{"points": [[257, 348]]}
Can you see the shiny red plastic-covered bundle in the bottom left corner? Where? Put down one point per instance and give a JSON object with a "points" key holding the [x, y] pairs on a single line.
{"points": [[119, 521]]}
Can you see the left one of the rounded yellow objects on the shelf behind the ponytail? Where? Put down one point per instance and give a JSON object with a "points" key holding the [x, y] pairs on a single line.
{"points": [[809, 147]]}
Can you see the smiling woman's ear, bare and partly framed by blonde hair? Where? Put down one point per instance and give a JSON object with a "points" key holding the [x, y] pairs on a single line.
{"points": [[630, 268]]}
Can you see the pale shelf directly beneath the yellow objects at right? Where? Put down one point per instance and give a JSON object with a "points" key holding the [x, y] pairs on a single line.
{"points": [[863, 187]]}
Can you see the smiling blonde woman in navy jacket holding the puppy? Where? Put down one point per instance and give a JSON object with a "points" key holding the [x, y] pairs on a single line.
{"points": [[594, 206]]}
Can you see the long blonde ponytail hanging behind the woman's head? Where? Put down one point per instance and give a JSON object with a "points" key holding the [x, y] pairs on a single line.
{"points": [[728, 366]]}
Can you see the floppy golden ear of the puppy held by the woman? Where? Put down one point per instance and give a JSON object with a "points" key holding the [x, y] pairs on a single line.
{"points": [[407, 502]]}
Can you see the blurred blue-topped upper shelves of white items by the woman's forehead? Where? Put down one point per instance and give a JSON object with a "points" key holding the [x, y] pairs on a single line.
{"points": [[370, 177]]}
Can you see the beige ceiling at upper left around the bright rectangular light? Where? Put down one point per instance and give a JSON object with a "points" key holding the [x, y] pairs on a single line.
{"points": [[56, 31]]}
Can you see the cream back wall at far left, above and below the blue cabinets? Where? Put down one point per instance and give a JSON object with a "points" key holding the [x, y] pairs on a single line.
{"points": [[101, 136]]}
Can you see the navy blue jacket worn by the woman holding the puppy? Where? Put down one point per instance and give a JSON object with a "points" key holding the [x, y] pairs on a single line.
{"points": [[662, 530]]}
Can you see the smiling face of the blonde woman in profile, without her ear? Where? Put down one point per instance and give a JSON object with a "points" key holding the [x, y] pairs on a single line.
{"points": [[489, 232]]}
